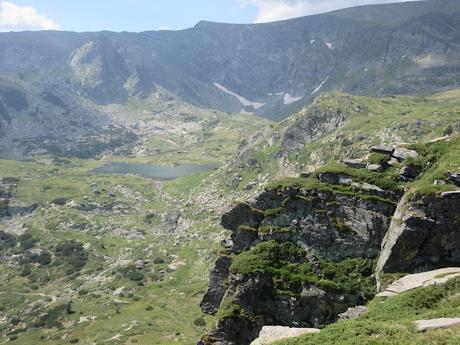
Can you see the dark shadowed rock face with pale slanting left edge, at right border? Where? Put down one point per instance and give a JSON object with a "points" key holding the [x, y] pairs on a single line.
{"points": [[424, 234]]}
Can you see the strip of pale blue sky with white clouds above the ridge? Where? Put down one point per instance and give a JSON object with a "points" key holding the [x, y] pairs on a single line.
{"points": [[145, 15]]}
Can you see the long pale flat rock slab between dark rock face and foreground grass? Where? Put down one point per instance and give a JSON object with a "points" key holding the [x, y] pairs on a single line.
{"points": [[414, 281]]}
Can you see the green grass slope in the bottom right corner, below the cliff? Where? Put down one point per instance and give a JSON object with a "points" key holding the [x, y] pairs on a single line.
{"points": [[391, 322]]}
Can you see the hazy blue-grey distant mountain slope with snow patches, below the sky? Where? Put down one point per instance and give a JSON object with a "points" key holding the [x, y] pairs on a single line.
{"points": [[272, 69]]}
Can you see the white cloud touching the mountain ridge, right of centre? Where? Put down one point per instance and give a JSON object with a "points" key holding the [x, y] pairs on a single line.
{"points": [[273, 10]]}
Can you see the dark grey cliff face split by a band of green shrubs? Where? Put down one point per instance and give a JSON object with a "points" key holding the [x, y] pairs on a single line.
{"points": [[326, 225]]}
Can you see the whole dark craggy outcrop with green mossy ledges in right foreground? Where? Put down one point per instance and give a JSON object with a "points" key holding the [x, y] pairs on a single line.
{"points": [[304, 252]]}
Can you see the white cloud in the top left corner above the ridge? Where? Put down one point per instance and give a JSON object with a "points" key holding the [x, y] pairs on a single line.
{"points": [[18, 18]]}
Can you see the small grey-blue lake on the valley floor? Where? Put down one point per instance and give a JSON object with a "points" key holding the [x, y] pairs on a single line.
{"points": [[156, 172]]}
